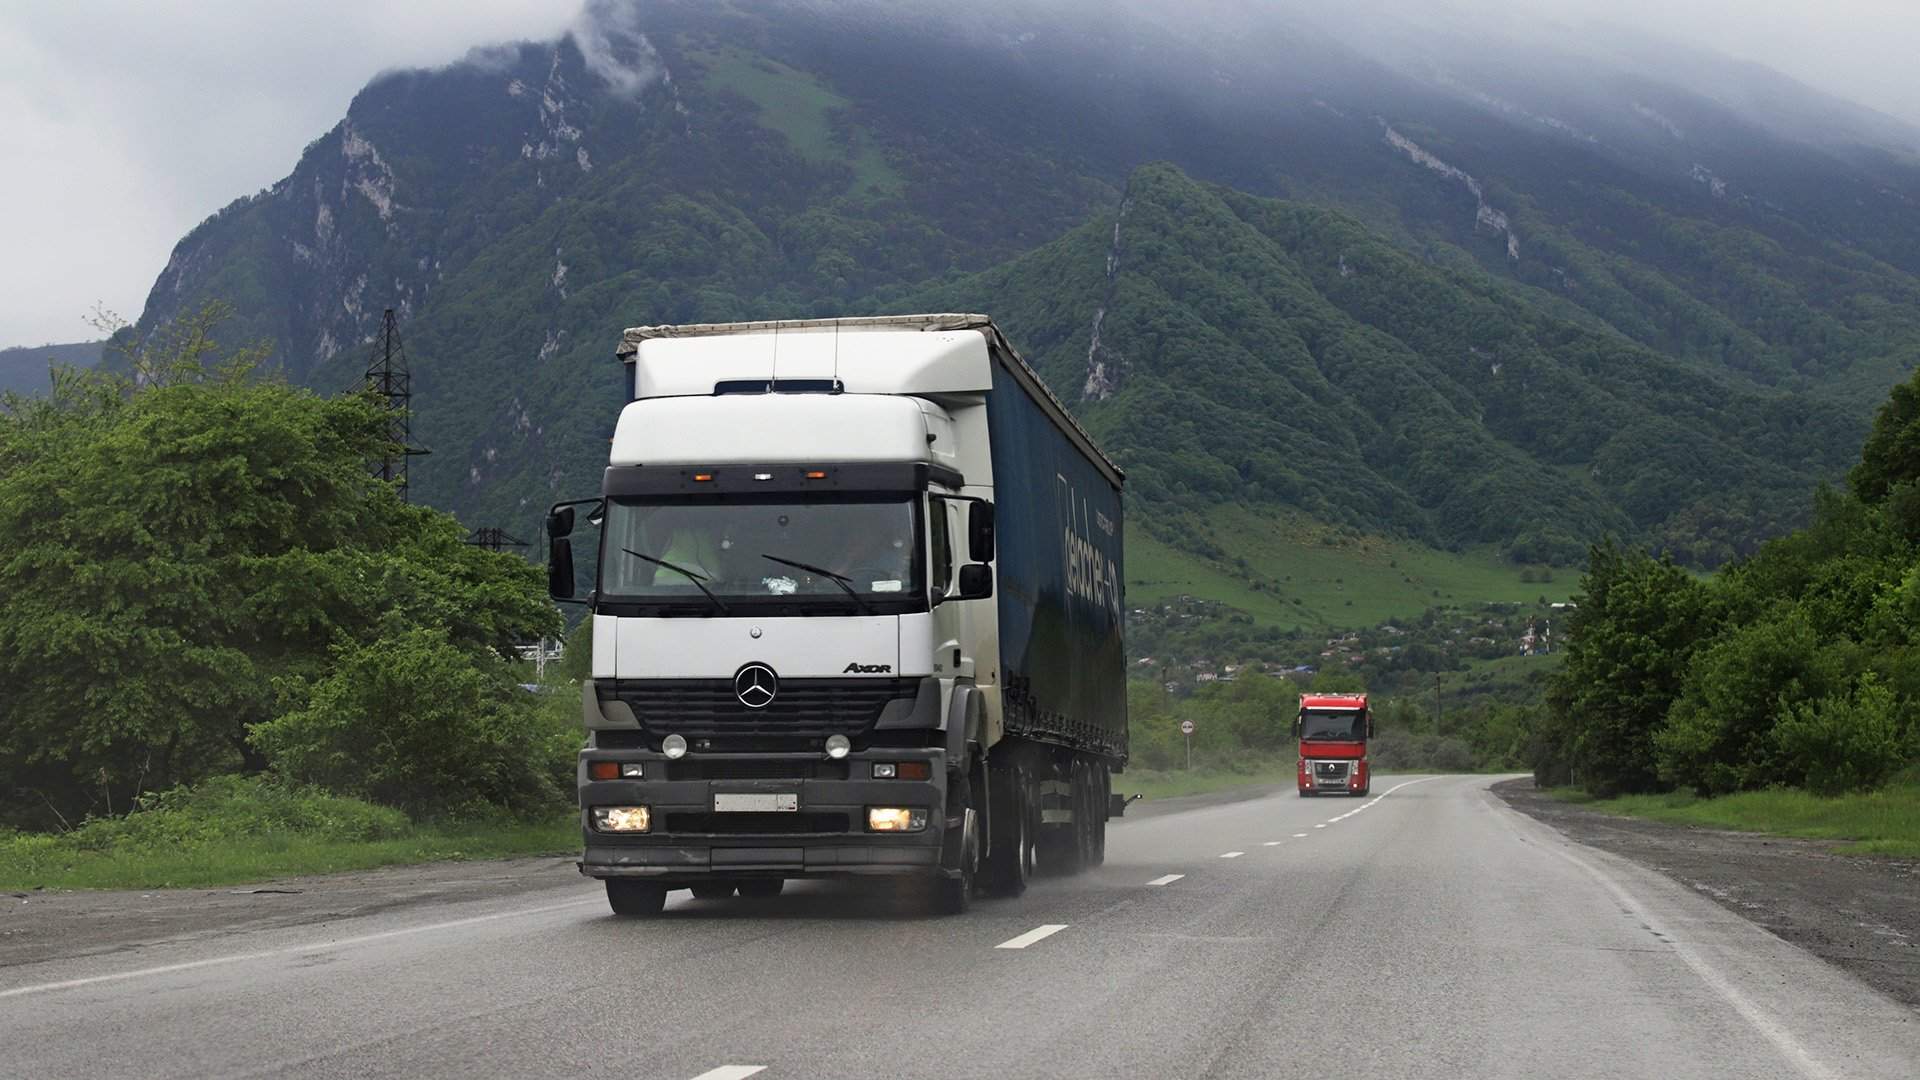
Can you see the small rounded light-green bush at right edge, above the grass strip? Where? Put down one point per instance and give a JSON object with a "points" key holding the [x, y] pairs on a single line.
{"points": [[1844, 743]]}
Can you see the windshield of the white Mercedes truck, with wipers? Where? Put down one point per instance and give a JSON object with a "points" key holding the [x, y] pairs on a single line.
{"points": [[830, 552]]}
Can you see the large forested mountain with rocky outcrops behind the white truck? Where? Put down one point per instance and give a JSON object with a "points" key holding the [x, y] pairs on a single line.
{"points": [[1458, 287]]}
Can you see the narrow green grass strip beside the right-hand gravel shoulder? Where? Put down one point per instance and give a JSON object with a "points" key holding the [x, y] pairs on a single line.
{"points": [[1875, 823]]}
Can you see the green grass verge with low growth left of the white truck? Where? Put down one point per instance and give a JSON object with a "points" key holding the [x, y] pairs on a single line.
{"points": [[243, 831]]}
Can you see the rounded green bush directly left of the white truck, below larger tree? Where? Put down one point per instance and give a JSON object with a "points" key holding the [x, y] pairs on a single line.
{"points": [[418, 724]]}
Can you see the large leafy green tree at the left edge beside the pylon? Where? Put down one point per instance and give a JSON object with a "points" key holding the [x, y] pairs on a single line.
{"points": [[181, 539]]}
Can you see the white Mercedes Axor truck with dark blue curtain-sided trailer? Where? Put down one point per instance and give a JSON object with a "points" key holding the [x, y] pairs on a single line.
{"points": [[857, 612]]}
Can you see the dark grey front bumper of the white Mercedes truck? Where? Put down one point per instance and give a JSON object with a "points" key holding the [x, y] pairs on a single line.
{"points": [[690, 841]]}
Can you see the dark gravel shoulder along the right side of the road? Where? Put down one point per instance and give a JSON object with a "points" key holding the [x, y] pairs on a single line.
{"points": [[1856, 912]]}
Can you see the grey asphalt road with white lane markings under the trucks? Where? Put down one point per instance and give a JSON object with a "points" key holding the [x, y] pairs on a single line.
{"points": [[1424, 933]]}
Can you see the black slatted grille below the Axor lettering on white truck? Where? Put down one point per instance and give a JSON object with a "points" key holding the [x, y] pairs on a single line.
{"points": [[805, 708]]}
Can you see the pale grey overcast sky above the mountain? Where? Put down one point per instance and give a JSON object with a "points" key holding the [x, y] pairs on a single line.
{"points": [[128, 122]]}
